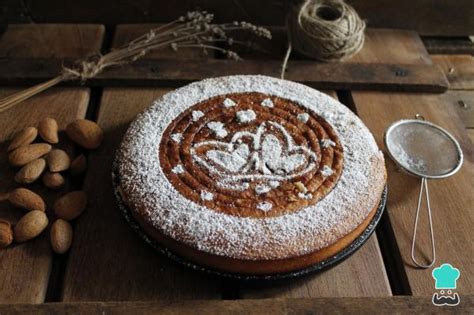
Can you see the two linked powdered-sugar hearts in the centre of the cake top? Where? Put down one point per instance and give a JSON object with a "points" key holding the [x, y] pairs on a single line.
{"points": [[268, 154]]}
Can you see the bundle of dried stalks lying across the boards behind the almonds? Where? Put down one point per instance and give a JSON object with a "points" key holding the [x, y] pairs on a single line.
{"points": [[195, 29]]}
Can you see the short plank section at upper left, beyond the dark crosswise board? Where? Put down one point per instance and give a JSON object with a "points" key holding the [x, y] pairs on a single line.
{"points": [[51, 40]]}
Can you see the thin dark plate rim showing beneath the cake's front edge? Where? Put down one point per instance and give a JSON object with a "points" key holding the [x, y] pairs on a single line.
{"points": [[322, 265]]}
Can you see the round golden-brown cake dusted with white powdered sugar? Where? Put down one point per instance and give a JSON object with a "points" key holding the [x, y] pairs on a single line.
{"points": [[250, 174]]}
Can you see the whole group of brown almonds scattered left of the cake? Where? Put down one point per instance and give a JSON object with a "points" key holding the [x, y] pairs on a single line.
{"points": [[42, 160]]}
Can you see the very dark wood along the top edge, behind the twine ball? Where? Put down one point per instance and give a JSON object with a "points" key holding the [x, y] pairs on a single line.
{"points": [[440, 17]]}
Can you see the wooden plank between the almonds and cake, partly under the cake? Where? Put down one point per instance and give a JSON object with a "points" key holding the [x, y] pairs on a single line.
{"points": [[108, 261]]}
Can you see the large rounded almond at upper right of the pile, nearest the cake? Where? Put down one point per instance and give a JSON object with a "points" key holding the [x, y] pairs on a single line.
{"points": [[86, 133]]}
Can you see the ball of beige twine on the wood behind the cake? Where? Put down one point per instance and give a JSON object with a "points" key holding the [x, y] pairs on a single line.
{"points": [[326, 30]]}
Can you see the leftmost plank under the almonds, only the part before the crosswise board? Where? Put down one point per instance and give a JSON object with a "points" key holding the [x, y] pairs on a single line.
{"points": [[25, 268]]}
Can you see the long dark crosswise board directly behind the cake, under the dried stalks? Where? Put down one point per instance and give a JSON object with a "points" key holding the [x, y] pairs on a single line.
{"points": [[156, 72]]}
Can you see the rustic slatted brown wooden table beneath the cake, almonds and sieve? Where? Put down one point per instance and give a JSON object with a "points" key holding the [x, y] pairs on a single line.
{"points": [[111, 269]]}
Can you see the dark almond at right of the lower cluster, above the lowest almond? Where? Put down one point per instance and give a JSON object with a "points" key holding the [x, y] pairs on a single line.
{"points": [[71, 205]]}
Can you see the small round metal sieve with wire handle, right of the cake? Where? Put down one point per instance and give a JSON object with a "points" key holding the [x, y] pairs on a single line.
{"points": [[425, 150]]}
